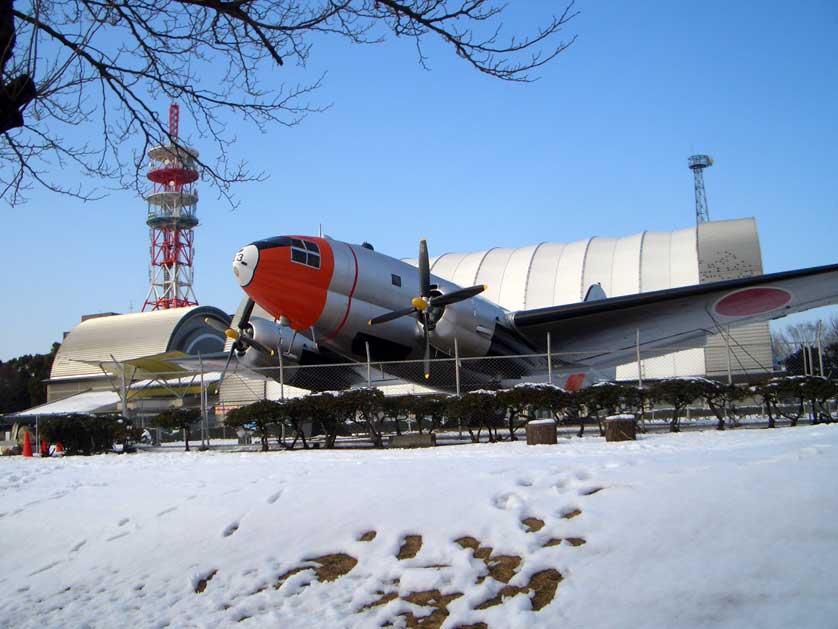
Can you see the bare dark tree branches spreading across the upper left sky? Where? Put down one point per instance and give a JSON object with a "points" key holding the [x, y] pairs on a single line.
{"points": [[100, 63]]}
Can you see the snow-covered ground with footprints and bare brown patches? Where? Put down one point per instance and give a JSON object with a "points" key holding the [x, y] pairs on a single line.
{"points": [[706, 529]]}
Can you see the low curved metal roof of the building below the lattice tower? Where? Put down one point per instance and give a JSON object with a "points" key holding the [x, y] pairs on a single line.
{"points": [[123, 337]]}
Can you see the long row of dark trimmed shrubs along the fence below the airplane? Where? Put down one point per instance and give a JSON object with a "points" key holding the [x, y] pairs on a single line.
{"points": [[506, 410]]}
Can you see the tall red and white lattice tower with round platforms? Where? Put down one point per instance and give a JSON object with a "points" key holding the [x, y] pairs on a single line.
{"points": [[172, 216]]}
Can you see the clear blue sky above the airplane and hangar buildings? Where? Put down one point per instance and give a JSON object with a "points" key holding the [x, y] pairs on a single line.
{"points": [[597, 146]]}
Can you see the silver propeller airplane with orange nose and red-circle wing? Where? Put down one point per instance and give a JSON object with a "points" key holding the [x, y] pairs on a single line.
{"points": [[335, 302]]}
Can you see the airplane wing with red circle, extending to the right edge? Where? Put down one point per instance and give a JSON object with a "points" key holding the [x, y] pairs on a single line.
{"points": [[603, 333]]}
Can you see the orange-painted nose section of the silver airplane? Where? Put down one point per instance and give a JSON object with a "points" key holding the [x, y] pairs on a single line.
{"points": [[291, 278]]}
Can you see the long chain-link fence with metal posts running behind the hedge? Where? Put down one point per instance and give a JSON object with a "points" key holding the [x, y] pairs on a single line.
{"points": [[217, 393]]}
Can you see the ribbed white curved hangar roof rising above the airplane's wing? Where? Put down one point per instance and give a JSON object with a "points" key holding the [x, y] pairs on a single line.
{"points": [[550, 273]]}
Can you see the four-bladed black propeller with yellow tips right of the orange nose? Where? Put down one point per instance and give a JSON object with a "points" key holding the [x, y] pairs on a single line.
{"points": [[427, 304]]}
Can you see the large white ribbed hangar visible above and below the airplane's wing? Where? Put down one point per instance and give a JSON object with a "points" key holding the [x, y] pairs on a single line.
{"points": [[560, 273]]}
